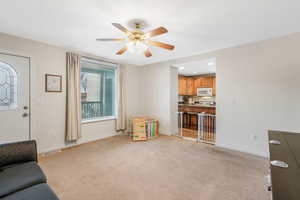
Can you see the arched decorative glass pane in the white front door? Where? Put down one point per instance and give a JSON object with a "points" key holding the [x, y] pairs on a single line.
{"points": [[8, 87]]}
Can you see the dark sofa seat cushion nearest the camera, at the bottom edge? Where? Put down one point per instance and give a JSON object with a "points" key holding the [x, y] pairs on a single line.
{"points": [[36, 192]]}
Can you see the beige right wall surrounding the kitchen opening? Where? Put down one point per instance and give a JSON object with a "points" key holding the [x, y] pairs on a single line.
{"points": [[257, 89]]}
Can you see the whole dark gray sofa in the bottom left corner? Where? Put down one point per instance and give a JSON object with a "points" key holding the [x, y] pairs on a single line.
{"points": [[20, 176]]}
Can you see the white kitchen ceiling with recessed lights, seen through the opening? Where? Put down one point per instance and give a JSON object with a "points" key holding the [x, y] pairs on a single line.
{"points": [[193, 68]]}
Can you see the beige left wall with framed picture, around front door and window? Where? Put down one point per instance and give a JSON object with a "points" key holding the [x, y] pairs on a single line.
{"points": [[48, 109]]}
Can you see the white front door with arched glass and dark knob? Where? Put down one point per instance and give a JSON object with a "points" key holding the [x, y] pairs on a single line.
{"points": [[14, 98]]}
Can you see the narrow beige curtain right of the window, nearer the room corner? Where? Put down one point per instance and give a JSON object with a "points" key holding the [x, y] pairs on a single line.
{"points": [[121, 118]]}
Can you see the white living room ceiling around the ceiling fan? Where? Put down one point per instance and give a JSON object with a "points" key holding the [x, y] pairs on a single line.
{"points": [[194, 26]]}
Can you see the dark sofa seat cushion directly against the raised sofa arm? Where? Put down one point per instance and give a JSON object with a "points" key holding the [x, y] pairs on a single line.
{"points": [[20, 176]]}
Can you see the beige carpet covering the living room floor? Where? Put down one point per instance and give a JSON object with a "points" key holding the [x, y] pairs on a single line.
{"points": [[161, 169]]}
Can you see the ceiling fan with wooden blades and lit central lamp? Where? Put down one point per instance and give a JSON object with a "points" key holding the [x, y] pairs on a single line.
{"points": [[137, 41]]}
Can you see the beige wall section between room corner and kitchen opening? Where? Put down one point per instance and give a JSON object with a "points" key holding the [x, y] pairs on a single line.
{"points": [[158, 95]]}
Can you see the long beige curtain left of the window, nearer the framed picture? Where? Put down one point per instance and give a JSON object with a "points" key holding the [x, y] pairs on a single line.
{"points": [[73, 114]]}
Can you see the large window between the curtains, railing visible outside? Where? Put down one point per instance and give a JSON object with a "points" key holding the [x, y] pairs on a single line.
{"points": [[97, 86]]}
